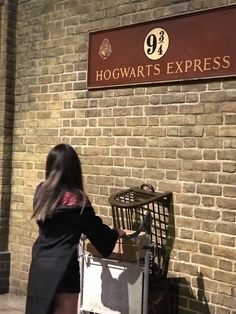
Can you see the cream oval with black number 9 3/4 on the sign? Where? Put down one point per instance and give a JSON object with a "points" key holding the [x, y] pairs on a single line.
{"points": [[156, 43]]}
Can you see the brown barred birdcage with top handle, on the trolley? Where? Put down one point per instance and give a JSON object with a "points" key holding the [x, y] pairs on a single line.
{"points": [[143, 209]]}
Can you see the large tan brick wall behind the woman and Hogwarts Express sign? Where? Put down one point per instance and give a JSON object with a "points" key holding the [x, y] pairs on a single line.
{"points": [[178, 137]]}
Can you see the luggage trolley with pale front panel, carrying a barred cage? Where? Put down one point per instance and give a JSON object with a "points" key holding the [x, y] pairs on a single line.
{"points": [[120, 284]]}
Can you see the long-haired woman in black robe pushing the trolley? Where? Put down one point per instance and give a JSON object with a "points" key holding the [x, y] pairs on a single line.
{"points": [[63, 213]]}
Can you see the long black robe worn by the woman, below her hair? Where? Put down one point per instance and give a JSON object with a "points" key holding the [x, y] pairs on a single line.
{"points": [[56, 246]]}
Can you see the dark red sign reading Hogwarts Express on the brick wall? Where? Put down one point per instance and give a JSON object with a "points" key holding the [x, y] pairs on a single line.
{"points": [[187, 47]]}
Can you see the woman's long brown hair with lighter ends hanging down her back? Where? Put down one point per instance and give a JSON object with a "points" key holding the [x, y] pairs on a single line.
{"points": [[63, 173]]}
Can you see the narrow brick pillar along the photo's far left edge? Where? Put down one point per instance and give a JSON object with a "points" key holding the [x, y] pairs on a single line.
{"points": [[7, 84]]}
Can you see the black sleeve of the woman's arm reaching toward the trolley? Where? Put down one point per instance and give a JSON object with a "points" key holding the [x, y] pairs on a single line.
{"points": [[100, 235]]}
